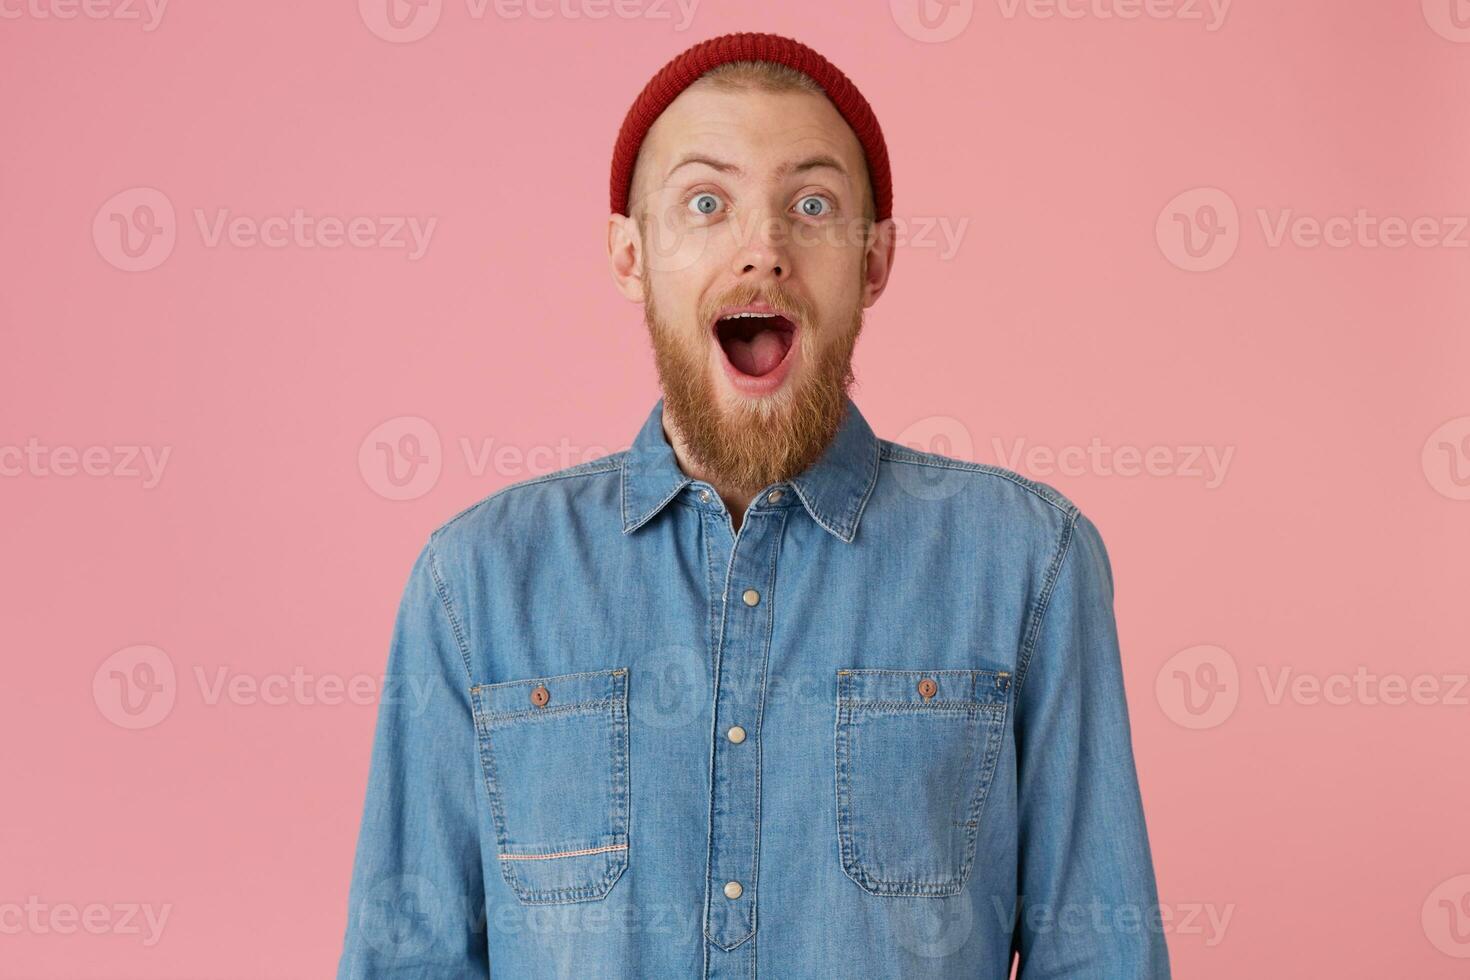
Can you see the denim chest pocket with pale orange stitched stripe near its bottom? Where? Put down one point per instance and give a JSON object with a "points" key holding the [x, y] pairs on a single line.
{"points": [[555, 756]]}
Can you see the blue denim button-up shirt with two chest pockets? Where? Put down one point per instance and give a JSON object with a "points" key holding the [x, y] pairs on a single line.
{"points": [[880, 732]]}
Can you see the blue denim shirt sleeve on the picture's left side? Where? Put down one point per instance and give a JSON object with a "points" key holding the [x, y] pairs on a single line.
{"points": [[417, 906]]}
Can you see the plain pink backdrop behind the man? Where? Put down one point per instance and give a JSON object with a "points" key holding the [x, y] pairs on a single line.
{"points": [[1330, 838]]}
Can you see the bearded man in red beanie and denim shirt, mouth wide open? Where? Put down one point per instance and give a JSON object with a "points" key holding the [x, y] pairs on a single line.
{"points": [[764, 696]]}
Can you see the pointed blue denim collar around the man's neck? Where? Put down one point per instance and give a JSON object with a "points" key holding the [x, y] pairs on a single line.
{"points": [[834, 490]]}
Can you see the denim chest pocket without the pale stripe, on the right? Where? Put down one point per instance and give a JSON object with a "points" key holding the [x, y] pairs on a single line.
{"points": [[917, 754]]}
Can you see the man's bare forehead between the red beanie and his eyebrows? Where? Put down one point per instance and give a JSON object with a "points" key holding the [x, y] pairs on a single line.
{"points": [[752, 129]]}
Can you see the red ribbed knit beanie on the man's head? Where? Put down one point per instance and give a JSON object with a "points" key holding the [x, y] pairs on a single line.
{"points": [[684, 70]]}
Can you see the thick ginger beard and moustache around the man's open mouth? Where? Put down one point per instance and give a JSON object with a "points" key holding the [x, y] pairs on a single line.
{"points": [[761, 442]]}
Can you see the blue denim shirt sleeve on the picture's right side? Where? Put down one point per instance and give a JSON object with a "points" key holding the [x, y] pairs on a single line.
{"points": [[1089, 903]]}
